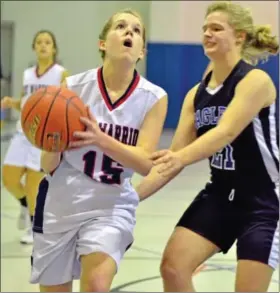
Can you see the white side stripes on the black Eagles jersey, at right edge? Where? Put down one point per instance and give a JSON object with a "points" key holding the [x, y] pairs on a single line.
{"points": [[264, 149]]}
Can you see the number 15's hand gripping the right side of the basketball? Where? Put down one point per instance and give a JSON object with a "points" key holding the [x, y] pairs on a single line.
{"points": [[90, 136]]}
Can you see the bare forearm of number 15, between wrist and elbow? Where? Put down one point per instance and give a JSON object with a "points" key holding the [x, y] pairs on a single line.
{"points": [[129, 156]]}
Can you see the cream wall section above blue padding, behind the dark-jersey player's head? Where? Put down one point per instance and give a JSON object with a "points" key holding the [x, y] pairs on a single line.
{"points": [[182, 21]]}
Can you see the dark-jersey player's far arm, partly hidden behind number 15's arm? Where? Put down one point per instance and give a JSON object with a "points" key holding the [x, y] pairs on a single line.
{"points": [[184, 135]]}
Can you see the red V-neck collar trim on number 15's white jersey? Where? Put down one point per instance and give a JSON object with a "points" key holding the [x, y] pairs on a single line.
{"points": [[111, 106]]}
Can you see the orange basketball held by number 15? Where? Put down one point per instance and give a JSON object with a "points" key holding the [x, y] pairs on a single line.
{"points": [[50, 116]]}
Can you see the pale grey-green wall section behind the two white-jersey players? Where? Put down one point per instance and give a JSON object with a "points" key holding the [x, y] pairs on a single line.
{"points": [[76, 25]]}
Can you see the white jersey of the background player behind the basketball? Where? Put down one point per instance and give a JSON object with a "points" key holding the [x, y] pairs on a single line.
{"points": [[32, 81]]}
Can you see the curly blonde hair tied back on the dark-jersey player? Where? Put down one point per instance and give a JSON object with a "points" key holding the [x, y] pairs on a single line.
{"points": [[259, 43]]}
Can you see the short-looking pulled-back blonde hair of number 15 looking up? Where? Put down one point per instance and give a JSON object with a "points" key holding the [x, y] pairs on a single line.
{"points": [[109, 24]]}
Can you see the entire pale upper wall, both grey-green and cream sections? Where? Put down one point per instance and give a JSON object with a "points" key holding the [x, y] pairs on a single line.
{"points": [[77, 25]]}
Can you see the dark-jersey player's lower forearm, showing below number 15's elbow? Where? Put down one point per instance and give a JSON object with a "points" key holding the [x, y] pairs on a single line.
{"points": [[153, 182]]}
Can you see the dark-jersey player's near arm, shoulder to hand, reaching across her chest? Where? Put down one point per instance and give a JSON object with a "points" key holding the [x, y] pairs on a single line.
{"points": [[250, 97]]}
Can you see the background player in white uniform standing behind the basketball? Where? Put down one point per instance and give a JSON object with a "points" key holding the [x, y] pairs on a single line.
{"points": [[22, 159]]}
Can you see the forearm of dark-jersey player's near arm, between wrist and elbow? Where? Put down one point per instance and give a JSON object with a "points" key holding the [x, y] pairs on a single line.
{"points": [[205, 146]]}
